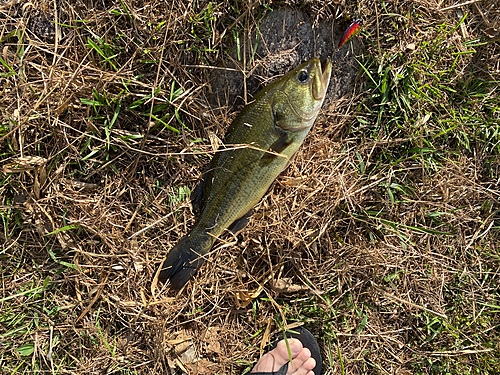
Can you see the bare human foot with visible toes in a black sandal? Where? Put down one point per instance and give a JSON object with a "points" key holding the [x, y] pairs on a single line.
{"points": [[274, 360]]}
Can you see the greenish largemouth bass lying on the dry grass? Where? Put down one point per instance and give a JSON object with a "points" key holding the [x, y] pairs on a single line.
{"points": [[258, 145]]}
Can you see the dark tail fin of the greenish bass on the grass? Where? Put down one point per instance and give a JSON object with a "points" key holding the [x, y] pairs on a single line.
{"points": [[181, 263]]}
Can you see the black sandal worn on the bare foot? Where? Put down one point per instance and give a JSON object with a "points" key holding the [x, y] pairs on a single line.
{"points": [[308, 341]]}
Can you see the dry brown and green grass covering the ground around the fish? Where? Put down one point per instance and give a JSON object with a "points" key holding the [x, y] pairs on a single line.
{"points": [[382, 237]]}
